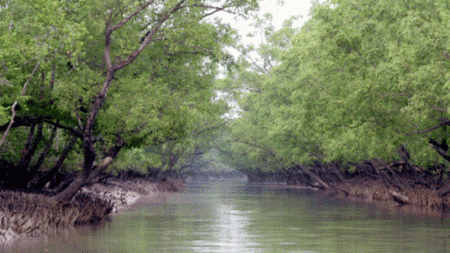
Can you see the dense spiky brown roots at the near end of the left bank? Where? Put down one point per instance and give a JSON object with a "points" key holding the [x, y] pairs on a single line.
{"points": [[29, 214]]}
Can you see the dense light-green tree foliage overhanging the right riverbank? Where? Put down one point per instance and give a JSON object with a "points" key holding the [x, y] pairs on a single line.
{"points": [[360, 81]]}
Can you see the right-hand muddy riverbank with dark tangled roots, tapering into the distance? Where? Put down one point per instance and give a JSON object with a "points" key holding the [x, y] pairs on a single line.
{"points": [[394, 186]]}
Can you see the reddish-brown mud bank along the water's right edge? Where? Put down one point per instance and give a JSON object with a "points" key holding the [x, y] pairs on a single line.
{"points": [[400, 193]]}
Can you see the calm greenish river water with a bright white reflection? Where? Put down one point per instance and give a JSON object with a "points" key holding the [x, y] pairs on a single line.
{"points": [[228, 217]]}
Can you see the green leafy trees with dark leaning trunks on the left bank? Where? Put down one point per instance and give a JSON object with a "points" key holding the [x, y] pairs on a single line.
{"points": [[84, 80]]}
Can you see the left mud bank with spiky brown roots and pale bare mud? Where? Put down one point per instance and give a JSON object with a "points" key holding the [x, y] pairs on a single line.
{"points": [[26, 214]]}
